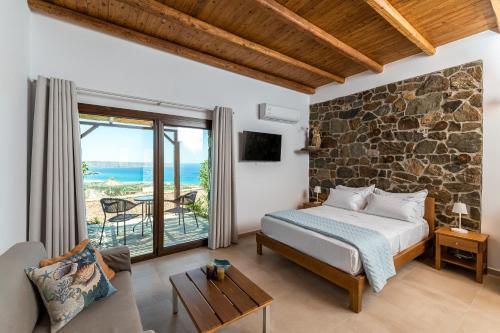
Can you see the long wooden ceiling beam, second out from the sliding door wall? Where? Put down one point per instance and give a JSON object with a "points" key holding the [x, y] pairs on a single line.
{"points": [[161, 10]]}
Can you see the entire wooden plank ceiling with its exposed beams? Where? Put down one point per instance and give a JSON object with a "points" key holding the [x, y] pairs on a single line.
{"points": [[298, 44]]}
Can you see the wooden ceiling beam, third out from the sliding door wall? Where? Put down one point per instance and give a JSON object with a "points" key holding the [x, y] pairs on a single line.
{"points": [[319, 34]]}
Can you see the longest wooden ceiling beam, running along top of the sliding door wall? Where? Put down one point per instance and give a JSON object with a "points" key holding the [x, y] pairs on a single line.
{"points": [[122, 32]]}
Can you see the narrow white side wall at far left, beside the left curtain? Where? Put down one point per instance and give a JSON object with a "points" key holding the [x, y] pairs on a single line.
{"points": [[14, 35]]}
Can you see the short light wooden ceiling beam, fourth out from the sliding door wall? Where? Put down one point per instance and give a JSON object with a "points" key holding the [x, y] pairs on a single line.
{"points": [[394, 18]]}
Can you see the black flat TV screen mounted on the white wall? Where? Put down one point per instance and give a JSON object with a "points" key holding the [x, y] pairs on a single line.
{"points": [[261, 147]]}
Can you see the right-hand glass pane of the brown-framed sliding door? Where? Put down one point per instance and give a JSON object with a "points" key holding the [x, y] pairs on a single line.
{"points": [[186, 187]]}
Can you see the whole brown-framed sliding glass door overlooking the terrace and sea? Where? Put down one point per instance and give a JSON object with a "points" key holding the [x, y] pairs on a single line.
{"points": [[145, 180]]}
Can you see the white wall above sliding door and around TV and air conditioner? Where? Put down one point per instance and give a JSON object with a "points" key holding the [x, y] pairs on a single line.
{"points": [[98, 61]]}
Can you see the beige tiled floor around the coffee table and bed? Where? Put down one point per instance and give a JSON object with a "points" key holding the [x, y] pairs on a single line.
{"points": [[418, 299]]}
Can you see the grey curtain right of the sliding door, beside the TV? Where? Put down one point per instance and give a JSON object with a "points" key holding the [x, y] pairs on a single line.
{"points": [[222, 212]]}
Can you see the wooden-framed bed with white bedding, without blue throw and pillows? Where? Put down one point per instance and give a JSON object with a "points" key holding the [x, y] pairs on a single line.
{"points": [[337, 261]]}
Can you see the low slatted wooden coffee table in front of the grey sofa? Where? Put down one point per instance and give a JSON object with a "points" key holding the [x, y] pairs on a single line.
{"points": [[215, 304]]}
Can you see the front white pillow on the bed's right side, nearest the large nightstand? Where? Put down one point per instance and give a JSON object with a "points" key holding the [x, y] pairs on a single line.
{"points": [[393, 207]]}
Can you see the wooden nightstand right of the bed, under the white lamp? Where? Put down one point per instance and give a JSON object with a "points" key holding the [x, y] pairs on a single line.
{"points": [[471, 242]]}
